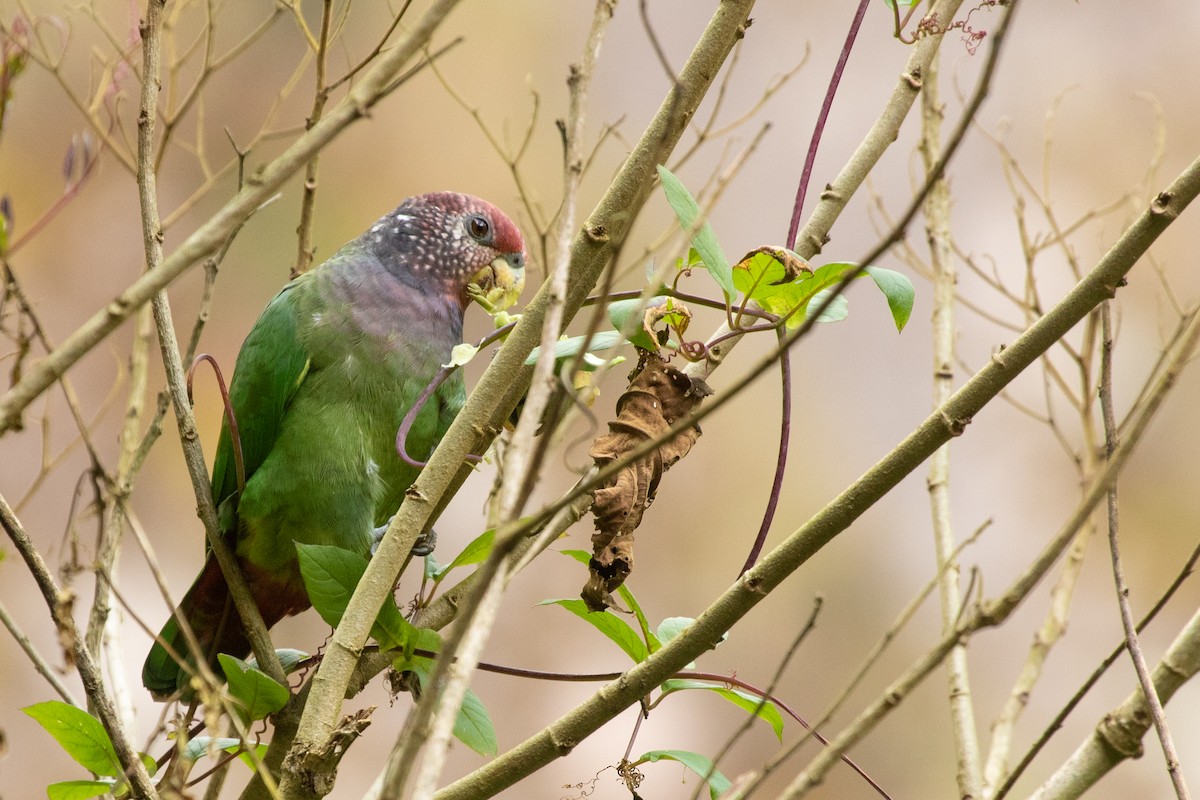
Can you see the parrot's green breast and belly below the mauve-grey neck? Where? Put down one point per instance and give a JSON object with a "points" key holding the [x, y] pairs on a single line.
{"points": [[333, 473]]}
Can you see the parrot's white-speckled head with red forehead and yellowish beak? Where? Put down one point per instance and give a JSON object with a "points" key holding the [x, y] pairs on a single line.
{"points": [[447, 243]]}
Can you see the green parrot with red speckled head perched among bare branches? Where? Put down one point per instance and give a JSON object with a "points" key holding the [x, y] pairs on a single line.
{"points": [[320, 390]]}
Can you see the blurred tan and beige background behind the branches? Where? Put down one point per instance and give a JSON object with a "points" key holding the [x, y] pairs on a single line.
{"points": [[860, 388]]}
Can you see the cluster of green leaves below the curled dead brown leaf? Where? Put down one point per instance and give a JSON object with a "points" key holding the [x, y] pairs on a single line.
{"points": [[639, 643]]}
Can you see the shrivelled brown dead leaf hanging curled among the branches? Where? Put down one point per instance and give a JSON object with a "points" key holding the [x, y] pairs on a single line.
{"points": [[658, 395]]}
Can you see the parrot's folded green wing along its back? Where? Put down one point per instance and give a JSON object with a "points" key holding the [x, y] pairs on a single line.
{"points": [[271, 369]]}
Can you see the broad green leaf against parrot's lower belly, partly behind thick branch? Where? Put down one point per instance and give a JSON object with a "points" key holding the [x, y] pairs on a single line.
{"points": [[331, 575]]}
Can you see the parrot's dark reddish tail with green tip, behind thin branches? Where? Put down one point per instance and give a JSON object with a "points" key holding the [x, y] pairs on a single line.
{"points": [[211, 613]]}
